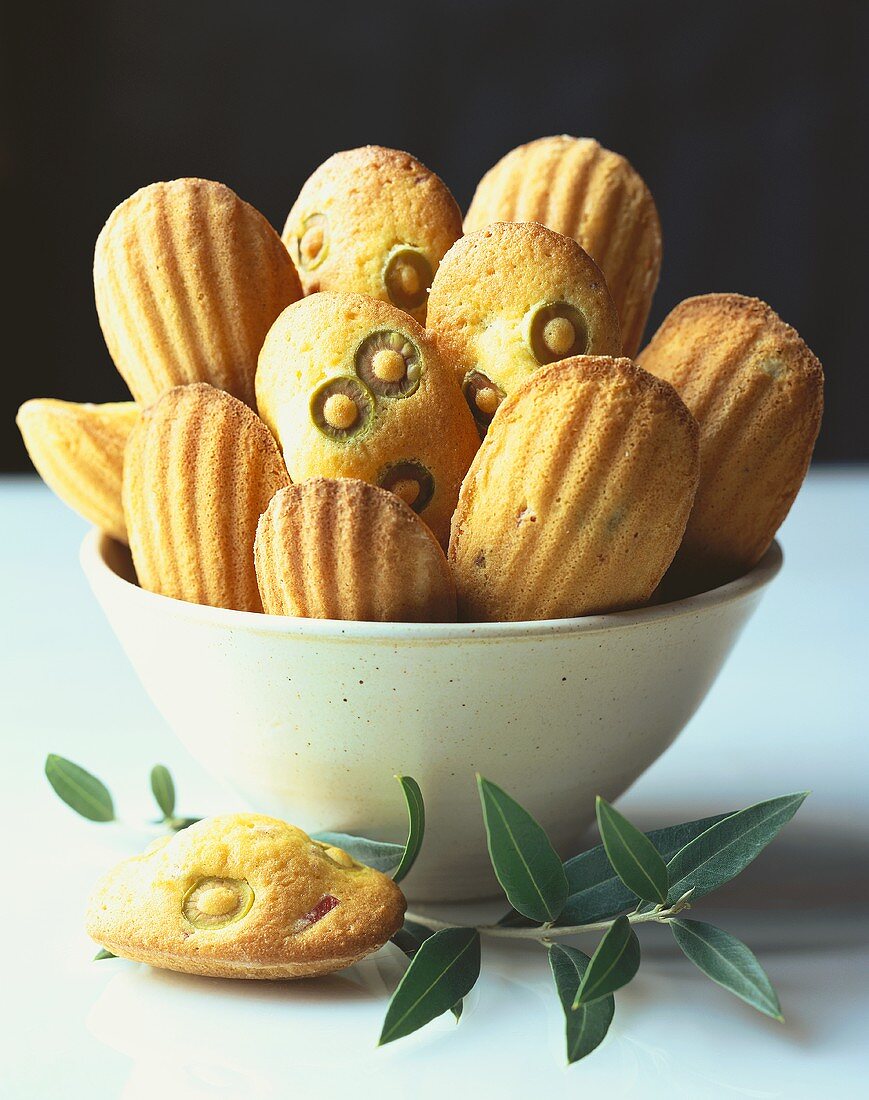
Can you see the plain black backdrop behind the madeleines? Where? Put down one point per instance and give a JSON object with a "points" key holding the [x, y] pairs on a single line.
{"points": [[747, 120]]}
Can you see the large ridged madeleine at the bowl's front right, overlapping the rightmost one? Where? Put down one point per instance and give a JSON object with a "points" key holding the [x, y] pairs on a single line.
{"points": [[578, 499]]}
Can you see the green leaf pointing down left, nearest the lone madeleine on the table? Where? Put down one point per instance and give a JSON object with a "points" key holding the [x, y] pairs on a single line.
{"points": [[442, 973]]}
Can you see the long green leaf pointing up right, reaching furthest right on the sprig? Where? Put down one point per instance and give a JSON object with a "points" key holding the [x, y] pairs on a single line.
{"points": [[724, 851]]}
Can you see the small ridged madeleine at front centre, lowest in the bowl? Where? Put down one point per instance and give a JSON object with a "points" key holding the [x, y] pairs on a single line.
{"points": [[344, 549]]}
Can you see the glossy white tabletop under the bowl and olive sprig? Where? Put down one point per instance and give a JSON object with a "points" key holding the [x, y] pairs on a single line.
{"points": [[788, 713]]}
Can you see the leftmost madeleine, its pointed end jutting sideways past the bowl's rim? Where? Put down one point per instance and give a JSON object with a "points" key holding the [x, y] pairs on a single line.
{"points": [[79, 453]]}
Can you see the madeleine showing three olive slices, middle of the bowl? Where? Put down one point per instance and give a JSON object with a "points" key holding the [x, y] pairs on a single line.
{"points": [[354, 388]]}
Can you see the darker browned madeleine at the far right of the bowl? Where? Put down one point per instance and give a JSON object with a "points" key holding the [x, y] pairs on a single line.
{"points": [[757, 393]]}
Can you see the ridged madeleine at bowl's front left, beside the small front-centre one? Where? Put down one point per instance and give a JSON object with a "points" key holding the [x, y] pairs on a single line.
{"points": [[200, 470]]}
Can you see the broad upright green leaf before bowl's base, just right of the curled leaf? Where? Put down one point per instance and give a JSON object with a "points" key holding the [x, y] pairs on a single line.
{"points": [[526, 864]]}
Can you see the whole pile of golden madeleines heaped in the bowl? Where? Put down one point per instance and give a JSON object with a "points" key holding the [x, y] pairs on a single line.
{"points": [[390, 415]]}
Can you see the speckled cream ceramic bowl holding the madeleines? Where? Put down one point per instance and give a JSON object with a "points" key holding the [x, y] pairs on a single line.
{"points": [[310, 720]]}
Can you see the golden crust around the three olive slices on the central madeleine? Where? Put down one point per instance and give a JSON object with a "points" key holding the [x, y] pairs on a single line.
{"points": [[317, 340]]}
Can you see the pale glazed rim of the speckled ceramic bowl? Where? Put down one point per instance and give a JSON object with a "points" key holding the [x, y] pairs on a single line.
{"points": [[103, 577]]}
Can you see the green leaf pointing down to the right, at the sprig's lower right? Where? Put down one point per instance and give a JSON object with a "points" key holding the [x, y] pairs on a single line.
{"points": [[728, 962]]}
